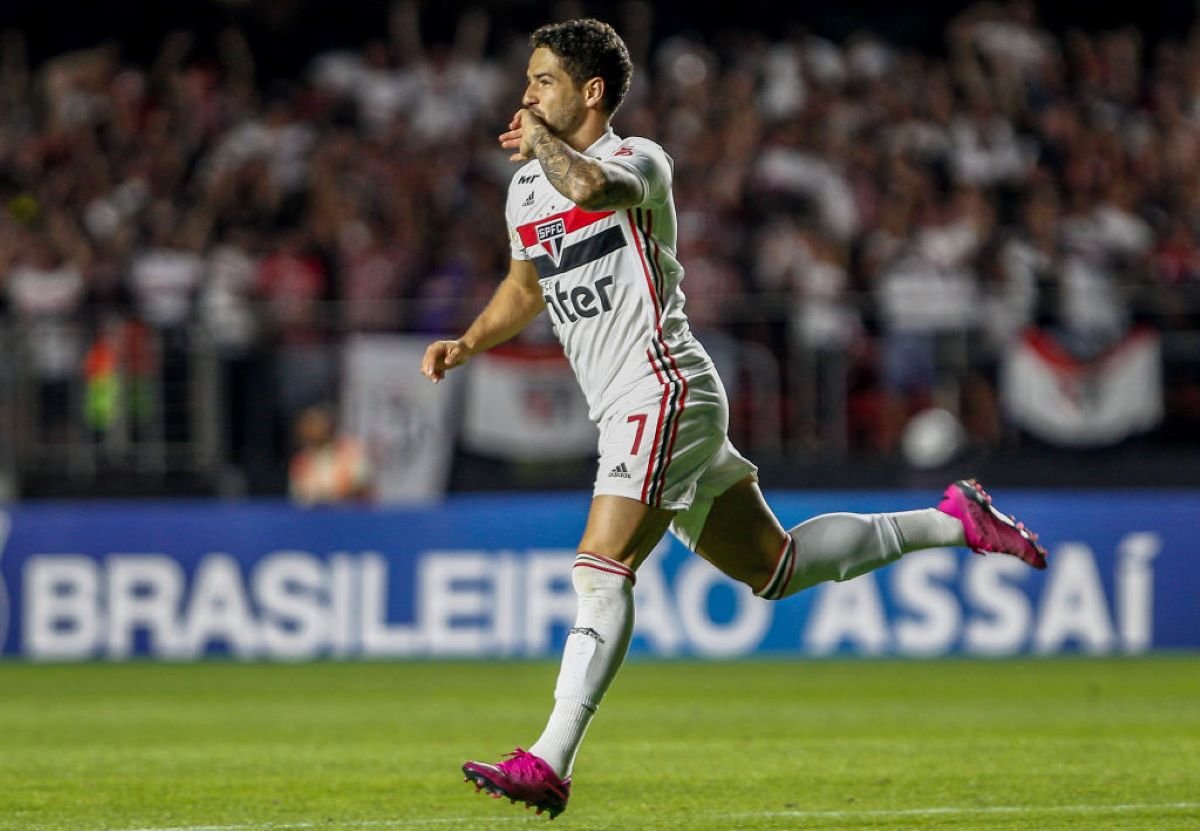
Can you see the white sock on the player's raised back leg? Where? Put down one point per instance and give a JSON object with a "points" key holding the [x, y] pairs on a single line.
{"points": [[841, 547]]}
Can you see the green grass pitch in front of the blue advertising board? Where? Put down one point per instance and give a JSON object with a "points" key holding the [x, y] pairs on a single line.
{"points": [[1016, 744]]}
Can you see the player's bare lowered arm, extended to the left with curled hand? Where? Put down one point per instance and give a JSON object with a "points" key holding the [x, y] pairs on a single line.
{"points": [[518, 301]]}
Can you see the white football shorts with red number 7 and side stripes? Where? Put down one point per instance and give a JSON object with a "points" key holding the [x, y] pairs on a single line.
{"points": [[670, 449]]}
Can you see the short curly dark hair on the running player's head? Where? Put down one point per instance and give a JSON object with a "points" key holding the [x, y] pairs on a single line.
{"points": [[590, 49]]}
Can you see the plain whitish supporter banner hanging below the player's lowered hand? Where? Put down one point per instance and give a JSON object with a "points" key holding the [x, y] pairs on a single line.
{"points": [[405, 422]]}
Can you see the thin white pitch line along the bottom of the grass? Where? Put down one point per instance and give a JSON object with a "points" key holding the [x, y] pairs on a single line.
{"points": [[950, 811]]}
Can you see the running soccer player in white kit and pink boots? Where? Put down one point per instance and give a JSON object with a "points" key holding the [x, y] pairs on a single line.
{"points": [[592, 225]]}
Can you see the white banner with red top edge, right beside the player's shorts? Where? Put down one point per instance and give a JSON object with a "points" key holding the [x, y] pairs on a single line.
{"points": [[524, 403]]}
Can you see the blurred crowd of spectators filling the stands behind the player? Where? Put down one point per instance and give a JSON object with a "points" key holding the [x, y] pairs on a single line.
{"points": [[855, 204]]}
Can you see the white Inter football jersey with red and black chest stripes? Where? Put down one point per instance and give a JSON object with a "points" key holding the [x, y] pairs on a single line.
{"points": [[611, 279]]}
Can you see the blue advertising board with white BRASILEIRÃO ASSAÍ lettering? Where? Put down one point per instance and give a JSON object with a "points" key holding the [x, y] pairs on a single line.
{"points": [[490, 577]]}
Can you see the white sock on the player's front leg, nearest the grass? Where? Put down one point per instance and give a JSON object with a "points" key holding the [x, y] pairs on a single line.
{"points": [[596, 649]]}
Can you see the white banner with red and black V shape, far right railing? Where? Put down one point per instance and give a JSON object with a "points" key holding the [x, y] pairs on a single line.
{"points": [[1084, 404]]}
